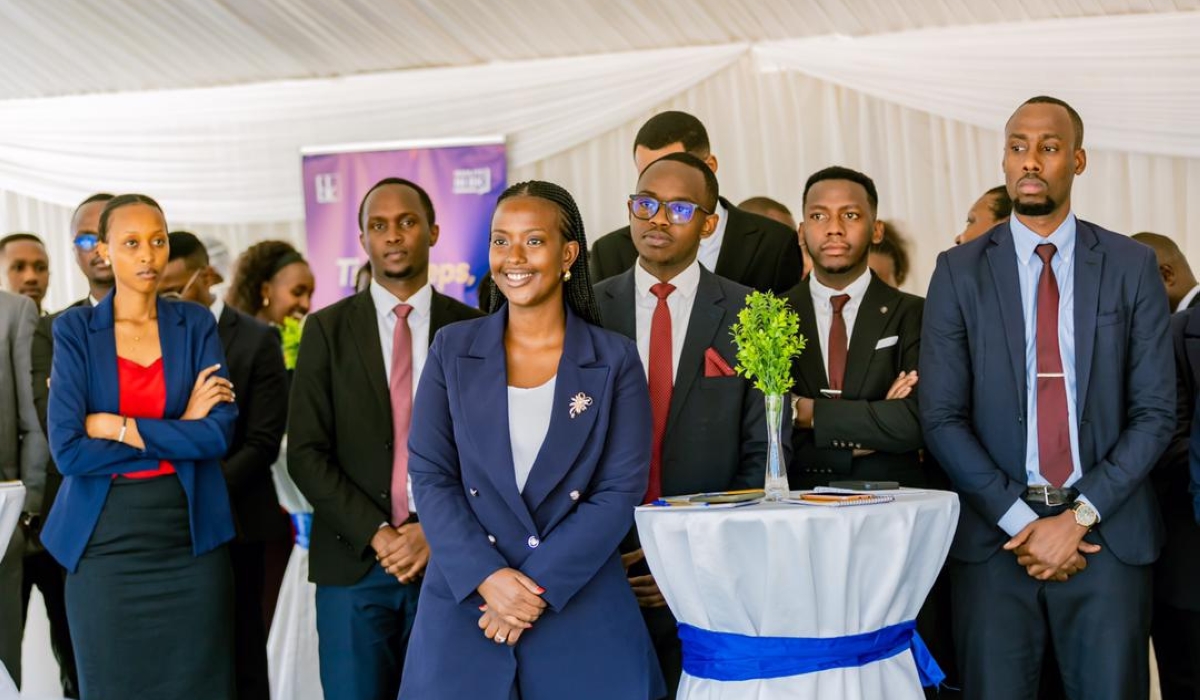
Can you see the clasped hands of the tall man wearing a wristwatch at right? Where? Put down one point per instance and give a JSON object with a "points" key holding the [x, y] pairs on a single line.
{"points": [[1052, 549]]}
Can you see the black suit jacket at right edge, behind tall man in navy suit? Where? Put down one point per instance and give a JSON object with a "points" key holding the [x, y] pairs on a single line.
{"points": [[1178, 571]]}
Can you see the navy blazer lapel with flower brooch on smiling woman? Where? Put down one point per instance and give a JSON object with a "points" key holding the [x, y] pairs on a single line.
{"points": [[579, 379]]}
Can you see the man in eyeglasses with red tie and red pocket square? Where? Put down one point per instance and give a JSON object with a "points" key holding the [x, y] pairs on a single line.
{"points": [[710, 424]]}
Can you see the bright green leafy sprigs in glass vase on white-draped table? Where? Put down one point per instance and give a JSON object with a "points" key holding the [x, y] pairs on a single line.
{"points": [[769, 339]]}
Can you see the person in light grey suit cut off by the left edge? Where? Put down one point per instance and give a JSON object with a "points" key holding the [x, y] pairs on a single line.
{"points": [[23, 454]]}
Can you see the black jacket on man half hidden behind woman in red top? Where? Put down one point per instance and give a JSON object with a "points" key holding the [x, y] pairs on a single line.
{"points": [[261, 382]]}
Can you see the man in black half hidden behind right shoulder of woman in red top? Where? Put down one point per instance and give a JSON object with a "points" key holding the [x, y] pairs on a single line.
{"points": [[256, 369]]}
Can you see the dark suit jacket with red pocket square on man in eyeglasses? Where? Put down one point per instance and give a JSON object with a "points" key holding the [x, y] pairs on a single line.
{"points": [[717, 429]]}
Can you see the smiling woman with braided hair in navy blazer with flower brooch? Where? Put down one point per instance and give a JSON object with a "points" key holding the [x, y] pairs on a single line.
{"points": [[530, 450]]}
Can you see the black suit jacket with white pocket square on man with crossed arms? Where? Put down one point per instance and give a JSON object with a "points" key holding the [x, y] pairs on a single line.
{"points": [[862, 418]]}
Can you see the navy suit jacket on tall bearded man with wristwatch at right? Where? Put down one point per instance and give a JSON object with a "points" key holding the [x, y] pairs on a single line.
{"points": [[974, 391]]}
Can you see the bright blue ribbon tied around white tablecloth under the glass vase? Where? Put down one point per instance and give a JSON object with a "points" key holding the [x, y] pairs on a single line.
{"points": [[722, 656]]}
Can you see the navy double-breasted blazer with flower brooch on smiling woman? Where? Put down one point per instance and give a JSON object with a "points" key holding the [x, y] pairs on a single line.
{"points": [[562, 531]]}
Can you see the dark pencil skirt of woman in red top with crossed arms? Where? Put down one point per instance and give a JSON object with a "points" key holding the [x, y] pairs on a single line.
{"points": [[149, 621]]}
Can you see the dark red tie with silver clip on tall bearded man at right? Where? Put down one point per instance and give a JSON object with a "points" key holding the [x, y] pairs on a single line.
{"points": [[1054, 435]]}
